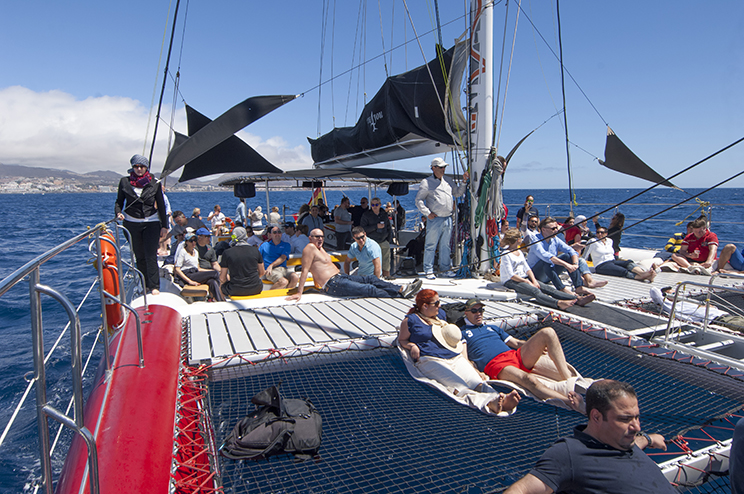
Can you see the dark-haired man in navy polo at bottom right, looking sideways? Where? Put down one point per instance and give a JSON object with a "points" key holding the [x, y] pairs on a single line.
{"points": [[605, 455]]}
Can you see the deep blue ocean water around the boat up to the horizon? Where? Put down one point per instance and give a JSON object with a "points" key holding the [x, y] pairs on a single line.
{"points": [[32, 224]]}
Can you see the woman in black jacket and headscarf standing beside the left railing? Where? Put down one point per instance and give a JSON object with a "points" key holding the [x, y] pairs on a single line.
{"points": [[140, 205]]}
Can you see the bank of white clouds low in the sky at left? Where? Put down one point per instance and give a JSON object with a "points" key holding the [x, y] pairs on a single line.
{"points": [[55, 130]]}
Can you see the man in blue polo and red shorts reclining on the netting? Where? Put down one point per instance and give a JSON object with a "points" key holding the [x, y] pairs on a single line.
{"points": [[501, 356]]}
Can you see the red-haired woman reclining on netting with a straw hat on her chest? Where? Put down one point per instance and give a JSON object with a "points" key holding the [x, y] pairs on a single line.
{"points": [[436, 351]]}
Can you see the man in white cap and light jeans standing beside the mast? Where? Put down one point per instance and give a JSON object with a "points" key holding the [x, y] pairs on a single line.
{"points": [[435, 200]]}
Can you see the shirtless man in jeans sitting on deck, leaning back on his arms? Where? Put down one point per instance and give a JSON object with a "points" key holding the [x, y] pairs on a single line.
{"points": [[328, 278]]}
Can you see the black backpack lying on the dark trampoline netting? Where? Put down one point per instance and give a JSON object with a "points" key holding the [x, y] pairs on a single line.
{"points": [[277, 426]]}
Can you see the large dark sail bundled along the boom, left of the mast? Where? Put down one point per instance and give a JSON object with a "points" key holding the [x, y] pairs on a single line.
{"points": [[404, 119]]}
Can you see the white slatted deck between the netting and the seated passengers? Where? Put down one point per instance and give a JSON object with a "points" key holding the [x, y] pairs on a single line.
{"points": [[278, 326]]}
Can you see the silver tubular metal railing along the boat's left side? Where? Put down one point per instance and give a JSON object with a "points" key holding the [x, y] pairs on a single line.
{"points": [[44, 409]]}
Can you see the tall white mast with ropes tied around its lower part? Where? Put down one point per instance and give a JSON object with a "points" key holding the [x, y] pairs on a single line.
{"points": [[480, 89]]}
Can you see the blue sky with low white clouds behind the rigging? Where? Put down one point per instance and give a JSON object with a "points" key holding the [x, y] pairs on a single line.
{"points": [[78, 79]]}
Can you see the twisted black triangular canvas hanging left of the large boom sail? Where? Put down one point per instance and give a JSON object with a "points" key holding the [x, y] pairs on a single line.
{"points": [[212, 148]]}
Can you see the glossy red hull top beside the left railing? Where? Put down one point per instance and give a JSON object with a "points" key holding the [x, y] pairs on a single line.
{"points": [[132, 416]]}
